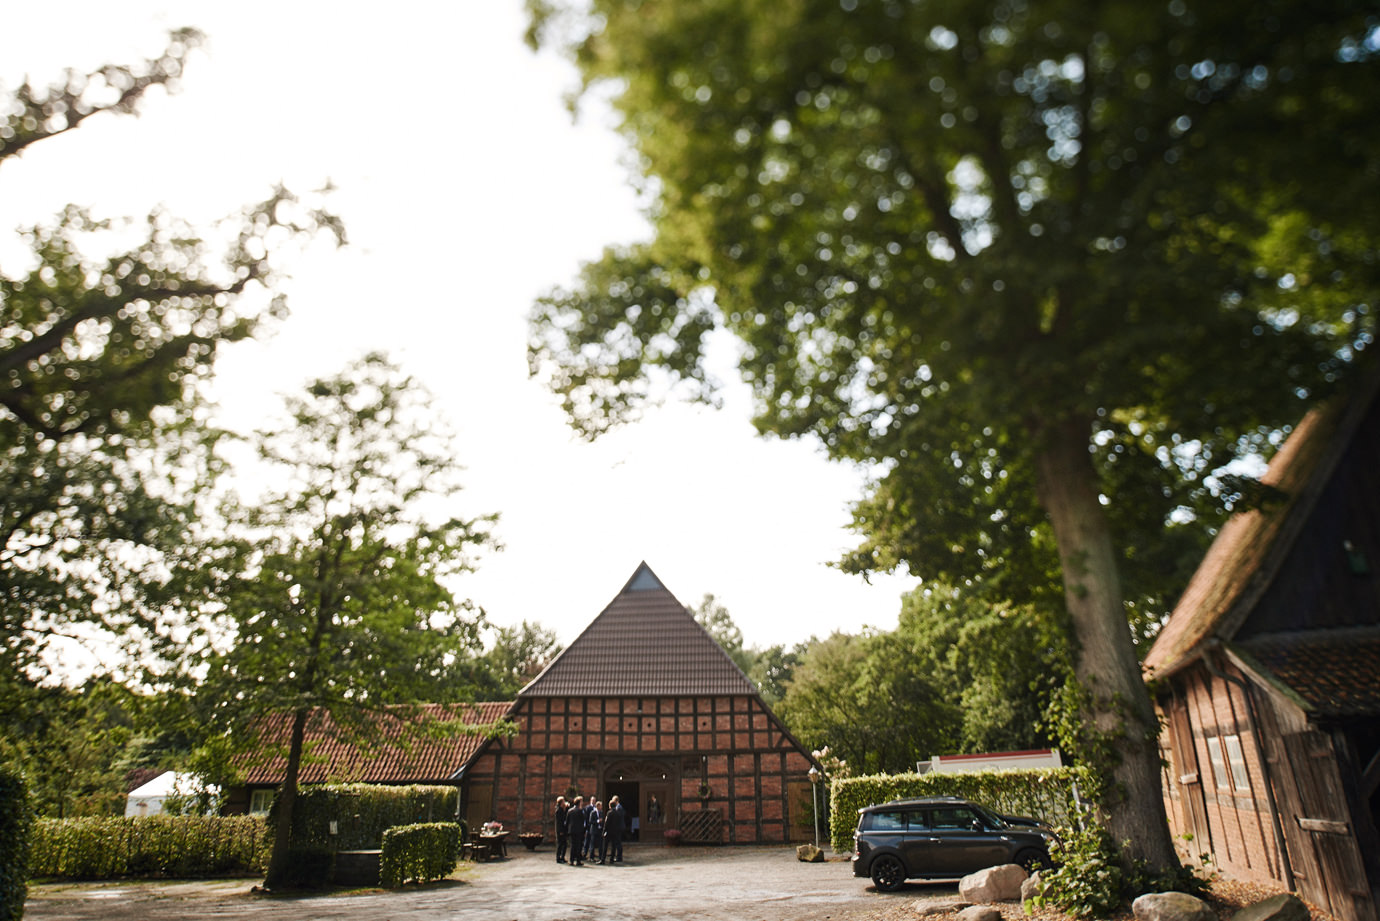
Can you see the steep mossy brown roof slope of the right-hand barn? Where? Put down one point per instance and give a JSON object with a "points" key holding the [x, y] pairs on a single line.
{"points": [[1251, 547]]}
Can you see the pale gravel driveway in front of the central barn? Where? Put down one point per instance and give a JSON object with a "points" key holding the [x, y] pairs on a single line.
{"points": [[682, 884]]}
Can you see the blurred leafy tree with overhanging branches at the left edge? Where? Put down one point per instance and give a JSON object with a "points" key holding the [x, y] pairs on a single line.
{"points": [[101, 360]]}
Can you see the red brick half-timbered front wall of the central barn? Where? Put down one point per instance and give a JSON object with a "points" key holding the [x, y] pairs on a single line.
{"points": [[733, 745]]}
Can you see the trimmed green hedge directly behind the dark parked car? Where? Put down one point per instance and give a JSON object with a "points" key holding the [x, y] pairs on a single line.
{"points": [[1045, 793]]}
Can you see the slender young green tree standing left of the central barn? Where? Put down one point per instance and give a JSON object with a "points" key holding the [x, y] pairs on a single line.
{"points": [[333, 586]]}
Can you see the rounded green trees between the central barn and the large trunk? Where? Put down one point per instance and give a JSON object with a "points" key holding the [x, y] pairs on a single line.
{"points": [[957, 676]]}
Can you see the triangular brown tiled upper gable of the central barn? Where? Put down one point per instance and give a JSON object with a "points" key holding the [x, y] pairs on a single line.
{"points": [[644, 644]]}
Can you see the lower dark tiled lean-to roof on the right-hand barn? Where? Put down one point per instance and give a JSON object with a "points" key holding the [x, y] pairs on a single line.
{"points": [[1334, 672]]}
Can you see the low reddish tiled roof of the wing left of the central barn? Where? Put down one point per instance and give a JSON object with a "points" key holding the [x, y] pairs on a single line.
{"points": [[333, 759]]}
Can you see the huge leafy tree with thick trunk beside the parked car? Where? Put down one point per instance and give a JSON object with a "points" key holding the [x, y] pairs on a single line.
{"points": [[1022, 256]]}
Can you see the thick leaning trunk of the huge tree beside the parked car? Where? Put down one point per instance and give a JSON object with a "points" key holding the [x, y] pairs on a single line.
{"points": [[1107, 666]]}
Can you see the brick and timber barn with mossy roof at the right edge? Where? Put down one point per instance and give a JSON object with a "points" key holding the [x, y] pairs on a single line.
{"points": [[1268, 676]]}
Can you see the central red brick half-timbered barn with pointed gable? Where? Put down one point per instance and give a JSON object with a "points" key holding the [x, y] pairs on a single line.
{"points": [[647, 706]]}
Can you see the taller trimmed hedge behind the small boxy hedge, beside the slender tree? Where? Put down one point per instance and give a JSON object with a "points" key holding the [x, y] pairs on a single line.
{"points": [[364, 813]]}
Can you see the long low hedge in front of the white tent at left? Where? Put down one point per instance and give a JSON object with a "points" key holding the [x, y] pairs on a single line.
{"points": [[190, 847]]}
